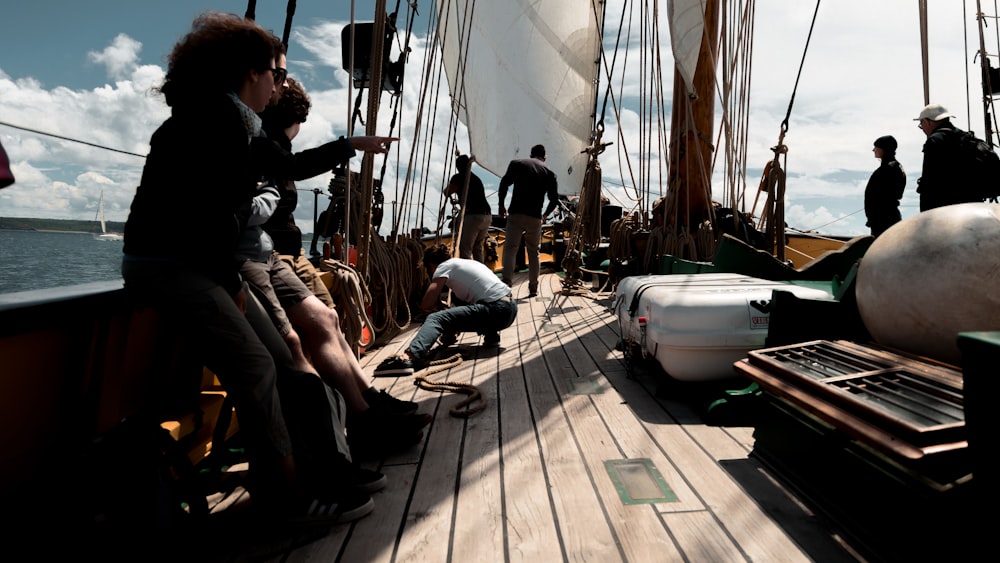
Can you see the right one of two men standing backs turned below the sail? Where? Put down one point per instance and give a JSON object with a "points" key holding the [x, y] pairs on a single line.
{"points": [[532, 180]]}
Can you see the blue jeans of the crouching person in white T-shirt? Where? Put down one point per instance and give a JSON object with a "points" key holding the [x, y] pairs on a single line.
{"points": [[482, 318]]}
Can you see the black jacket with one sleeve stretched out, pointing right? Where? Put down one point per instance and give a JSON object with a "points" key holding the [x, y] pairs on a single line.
{"points": [[281, 226]]}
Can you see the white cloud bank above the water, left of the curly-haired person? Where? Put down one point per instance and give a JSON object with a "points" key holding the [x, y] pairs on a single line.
{"points": [[63, 179]]}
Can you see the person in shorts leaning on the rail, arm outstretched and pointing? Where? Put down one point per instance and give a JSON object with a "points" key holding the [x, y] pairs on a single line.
{"points": [[377, 421]]}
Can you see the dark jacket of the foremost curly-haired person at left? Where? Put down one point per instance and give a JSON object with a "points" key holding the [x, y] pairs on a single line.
{"points": [[194, 197]]}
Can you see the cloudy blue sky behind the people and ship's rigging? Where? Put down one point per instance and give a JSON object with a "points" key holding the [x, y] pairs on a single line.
{"points": [[84, 70]]}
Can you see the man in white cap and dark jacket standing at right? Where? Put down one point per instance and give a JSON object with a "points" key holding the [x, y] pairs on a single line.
{"points": [[943, 176]]}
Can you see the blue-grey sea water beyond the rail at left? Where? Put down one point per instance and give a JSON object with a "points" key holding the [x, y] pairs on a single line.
{"points": [[41, 260]]}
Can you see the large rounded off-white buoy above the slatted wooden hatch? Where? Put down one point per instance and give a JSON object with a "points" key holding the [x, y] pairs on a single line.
{"points": [[932, 276]]}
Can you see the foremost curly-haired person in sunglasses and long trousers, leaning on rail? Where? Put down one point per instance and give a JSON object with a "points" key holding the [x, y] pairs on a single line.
{"points": [[219, 75]]}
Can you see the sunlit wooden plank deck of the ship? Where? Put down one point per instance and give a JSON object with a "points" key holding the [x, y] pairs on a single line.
{"points": [[528, 479]]}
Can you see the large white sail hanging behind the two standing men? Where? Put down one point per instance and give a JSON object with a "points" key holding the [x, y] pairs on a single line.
{"points": [[524, 72]]}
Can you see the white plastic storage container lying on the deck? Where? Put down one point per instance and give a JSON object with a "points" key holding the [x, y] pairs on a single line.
{"points": [[697, 325]]}
